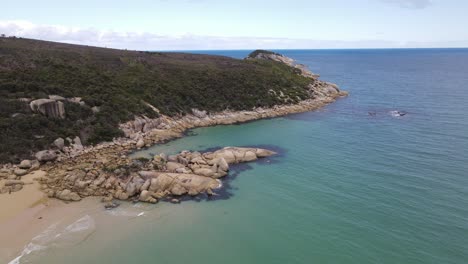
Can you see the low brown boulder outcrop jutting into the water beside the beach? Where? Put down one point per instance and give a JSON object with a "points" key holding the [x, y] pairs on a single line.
{"points": [[110, 174]]}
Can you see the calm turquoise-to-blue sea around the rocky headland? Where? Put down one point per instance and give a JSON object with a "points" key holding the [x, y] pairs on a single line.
{"points": [[346, 187]]}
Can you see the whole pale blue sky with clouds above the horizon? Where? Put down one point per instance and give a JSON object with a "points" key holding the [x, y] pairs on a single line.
{"points": [[241, 24]]}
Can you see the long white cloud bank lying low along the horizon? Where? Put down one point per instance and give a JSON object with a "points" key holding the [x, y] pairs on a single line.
{"points": [[153, 41]]}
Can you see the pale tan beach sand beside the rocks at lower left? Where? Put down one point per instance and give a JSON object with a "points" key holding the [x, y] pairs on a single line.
{"points": [[27, 213]]}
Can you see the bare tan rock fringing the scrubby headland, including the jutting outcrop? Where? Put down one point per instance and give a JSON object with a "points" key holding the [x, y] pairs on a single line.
{"points": [[74, 171]]}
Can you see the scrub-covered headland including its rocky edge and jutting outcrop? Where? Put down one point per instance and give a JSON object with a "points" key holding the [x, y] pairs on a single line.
{"points": [[76, 112]]}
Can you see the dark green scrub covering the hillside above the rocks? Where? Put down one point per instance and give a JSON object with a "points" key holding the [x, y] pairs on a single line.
{"points": [[120, 83]]}
